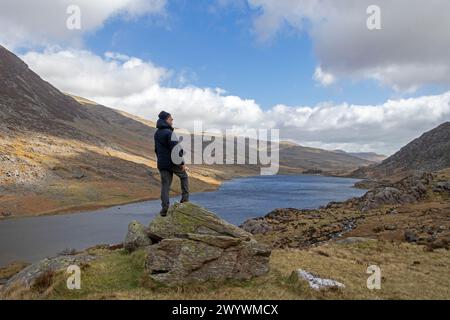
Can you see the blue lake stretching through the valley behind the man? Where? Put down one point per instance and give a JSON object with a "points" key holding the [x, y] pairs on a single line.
{"points": [[34, 238]]}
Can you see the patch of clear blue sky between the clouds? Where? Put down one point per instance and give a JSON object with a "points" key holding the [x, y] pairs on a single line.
{"points": [[215, 46]]}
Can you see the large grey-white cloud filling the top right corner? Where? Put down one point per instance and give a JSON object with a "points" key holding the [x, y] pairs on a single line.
{"points": [[411, 49]]}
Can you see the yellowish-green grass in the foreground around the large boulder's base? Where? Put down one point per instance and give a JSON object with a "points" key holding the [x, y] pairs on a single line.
{"points": [[408, 272]]}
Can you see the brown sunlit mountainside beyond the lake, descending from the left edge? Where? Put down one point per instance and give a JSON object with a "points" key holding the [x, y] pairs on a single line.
{"points": [[63, 153]]}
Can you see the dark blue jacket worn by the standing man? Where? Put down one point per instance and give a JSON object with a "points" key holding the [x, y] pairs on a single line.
{"points": [[164, 144]]}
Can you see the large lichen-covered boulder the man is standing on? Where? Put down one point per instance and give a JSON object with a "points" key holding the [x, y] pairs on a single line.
{"points": [[196, 245]]}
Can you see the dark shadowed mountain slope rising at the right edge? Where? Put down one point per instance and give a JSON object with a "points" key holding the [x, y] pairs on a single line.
{"points": [[430, 153]]}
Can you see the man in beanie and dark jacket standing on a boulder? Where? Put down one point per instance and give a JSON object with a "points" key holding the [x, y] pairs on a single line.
{"points": [[165, 142]]}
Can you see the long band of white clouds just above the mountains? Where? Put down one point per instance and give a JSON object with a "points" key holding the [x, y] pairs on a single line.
{"points": [[136, 86]]}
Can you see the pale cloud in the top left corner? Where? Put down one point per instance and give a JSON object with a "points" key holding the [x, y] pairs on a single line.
{"points": [[31, 23]]}
